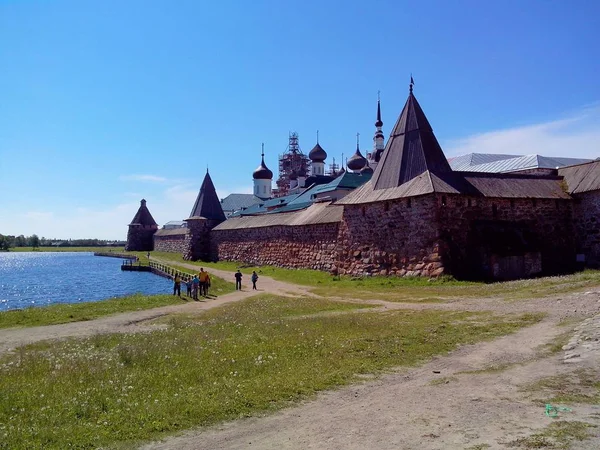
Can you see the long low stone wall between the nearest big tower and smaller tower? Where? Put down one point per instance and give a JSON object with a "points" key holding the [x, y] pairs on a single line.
{"points": [[302, 246]]}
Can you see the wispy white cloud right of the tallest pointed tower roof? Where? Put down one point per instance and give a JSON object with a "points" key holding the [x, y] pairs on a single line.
{"points": [[577, 136]]}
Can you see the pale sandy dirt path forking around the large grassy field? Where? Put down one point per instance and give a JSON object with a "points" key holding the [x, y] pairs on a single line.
{"points": [[444, 404]]}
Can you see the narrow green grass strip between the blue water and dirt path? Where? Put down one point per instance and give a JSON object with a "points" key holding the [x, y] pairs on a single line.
{"points": [[76, 312]]}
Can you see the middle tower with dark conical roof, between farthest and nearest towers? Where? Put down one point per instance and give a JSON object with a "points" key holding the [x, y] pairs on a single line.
{"points": [[206, 214]]}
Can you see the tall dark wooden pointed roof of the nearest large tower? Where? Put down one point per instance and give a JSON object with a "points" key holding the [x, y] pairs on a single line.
{"points": [[411, 150]]}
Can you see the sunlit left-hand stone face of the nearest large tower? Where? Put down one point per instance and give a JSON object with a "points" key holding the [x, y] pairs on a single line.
{"points": [[396, 237]]}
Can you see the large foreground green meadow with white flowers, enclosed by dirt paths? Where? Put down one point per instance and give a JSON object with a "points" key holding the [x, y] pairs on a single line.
{"points": [[242, 359]]}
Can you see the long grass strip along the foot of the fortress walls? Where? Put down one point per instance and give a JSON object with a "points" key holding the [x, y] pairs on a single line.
{"points": [[415, 289]]}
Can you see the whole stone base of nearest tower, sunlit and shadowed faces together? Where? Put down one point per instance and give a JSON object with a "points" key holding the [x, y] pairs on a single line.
{"points": [[467, 237]]}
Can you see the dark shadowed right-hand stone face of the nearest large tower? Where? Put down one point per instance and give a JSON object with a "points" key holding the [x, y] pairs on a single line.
{"points": [[480, 236]]}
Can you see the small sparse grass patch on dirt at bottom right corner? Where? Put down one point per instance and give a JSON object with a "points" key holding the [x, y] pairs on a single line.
{"points": [[560, 434]]}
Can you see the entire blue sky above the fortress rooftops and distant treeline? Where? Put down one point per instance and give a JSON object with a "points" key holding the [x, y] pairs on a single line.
{"points": [[103, 103]]}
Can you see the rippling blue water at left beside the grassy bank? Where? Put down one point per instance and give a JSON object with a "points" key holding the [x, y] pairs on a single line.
{"points": [[40, 279]]}
